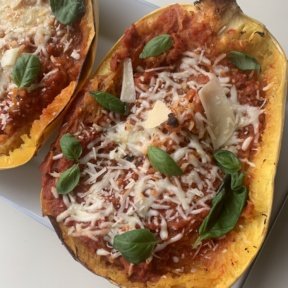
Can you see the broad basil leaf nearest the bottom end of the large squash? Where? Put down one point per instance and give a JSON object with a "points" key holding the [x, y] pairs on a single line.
{"points": [[136, 245]]}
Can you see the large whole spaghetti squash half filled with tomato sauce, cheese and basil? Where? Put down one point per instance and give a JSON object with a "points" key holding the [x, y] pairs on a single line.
{"points": [[162, 176]]}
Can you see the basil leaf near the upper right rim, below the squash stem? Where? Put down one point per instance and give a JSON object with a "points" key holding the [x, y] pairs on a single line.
{"points": [[243, 61]]}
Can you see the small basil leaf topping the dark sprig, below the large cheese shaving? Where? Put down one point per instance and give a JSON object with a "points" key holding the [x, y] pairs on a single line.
{"points": [[227, 161]]}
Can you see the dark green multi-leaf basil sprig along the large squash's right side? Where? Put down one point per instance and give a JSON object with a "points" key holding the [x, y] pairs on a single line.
{"points": [[229, 201]]}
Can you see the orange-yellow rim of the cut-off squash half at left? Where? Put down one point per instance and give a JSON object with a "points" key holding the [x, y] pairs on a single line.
{"points": [[52, 115]]}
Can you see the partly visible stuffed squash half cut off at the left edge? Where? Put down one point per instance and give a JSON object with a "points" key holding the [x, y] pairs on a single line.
{"points": [[43, 47]]}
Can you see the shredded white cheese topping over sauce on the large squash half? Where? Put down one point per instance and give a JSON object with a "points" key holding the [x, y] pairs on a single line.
{"points": [[120, 190]]}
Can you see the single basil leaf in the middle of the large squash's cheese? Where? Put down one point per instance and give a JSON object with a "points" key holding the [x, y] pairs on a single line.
{"points": [[162, 162]]}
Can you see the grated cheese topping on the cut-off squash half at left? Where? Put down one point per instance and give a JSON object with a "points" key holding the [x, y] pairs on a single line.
{"points": [[28, 26]]}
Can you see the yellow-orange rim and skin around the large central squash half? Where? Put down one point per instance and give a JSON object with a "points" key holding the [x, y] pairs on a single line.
{"points": [[243, 245]]}
